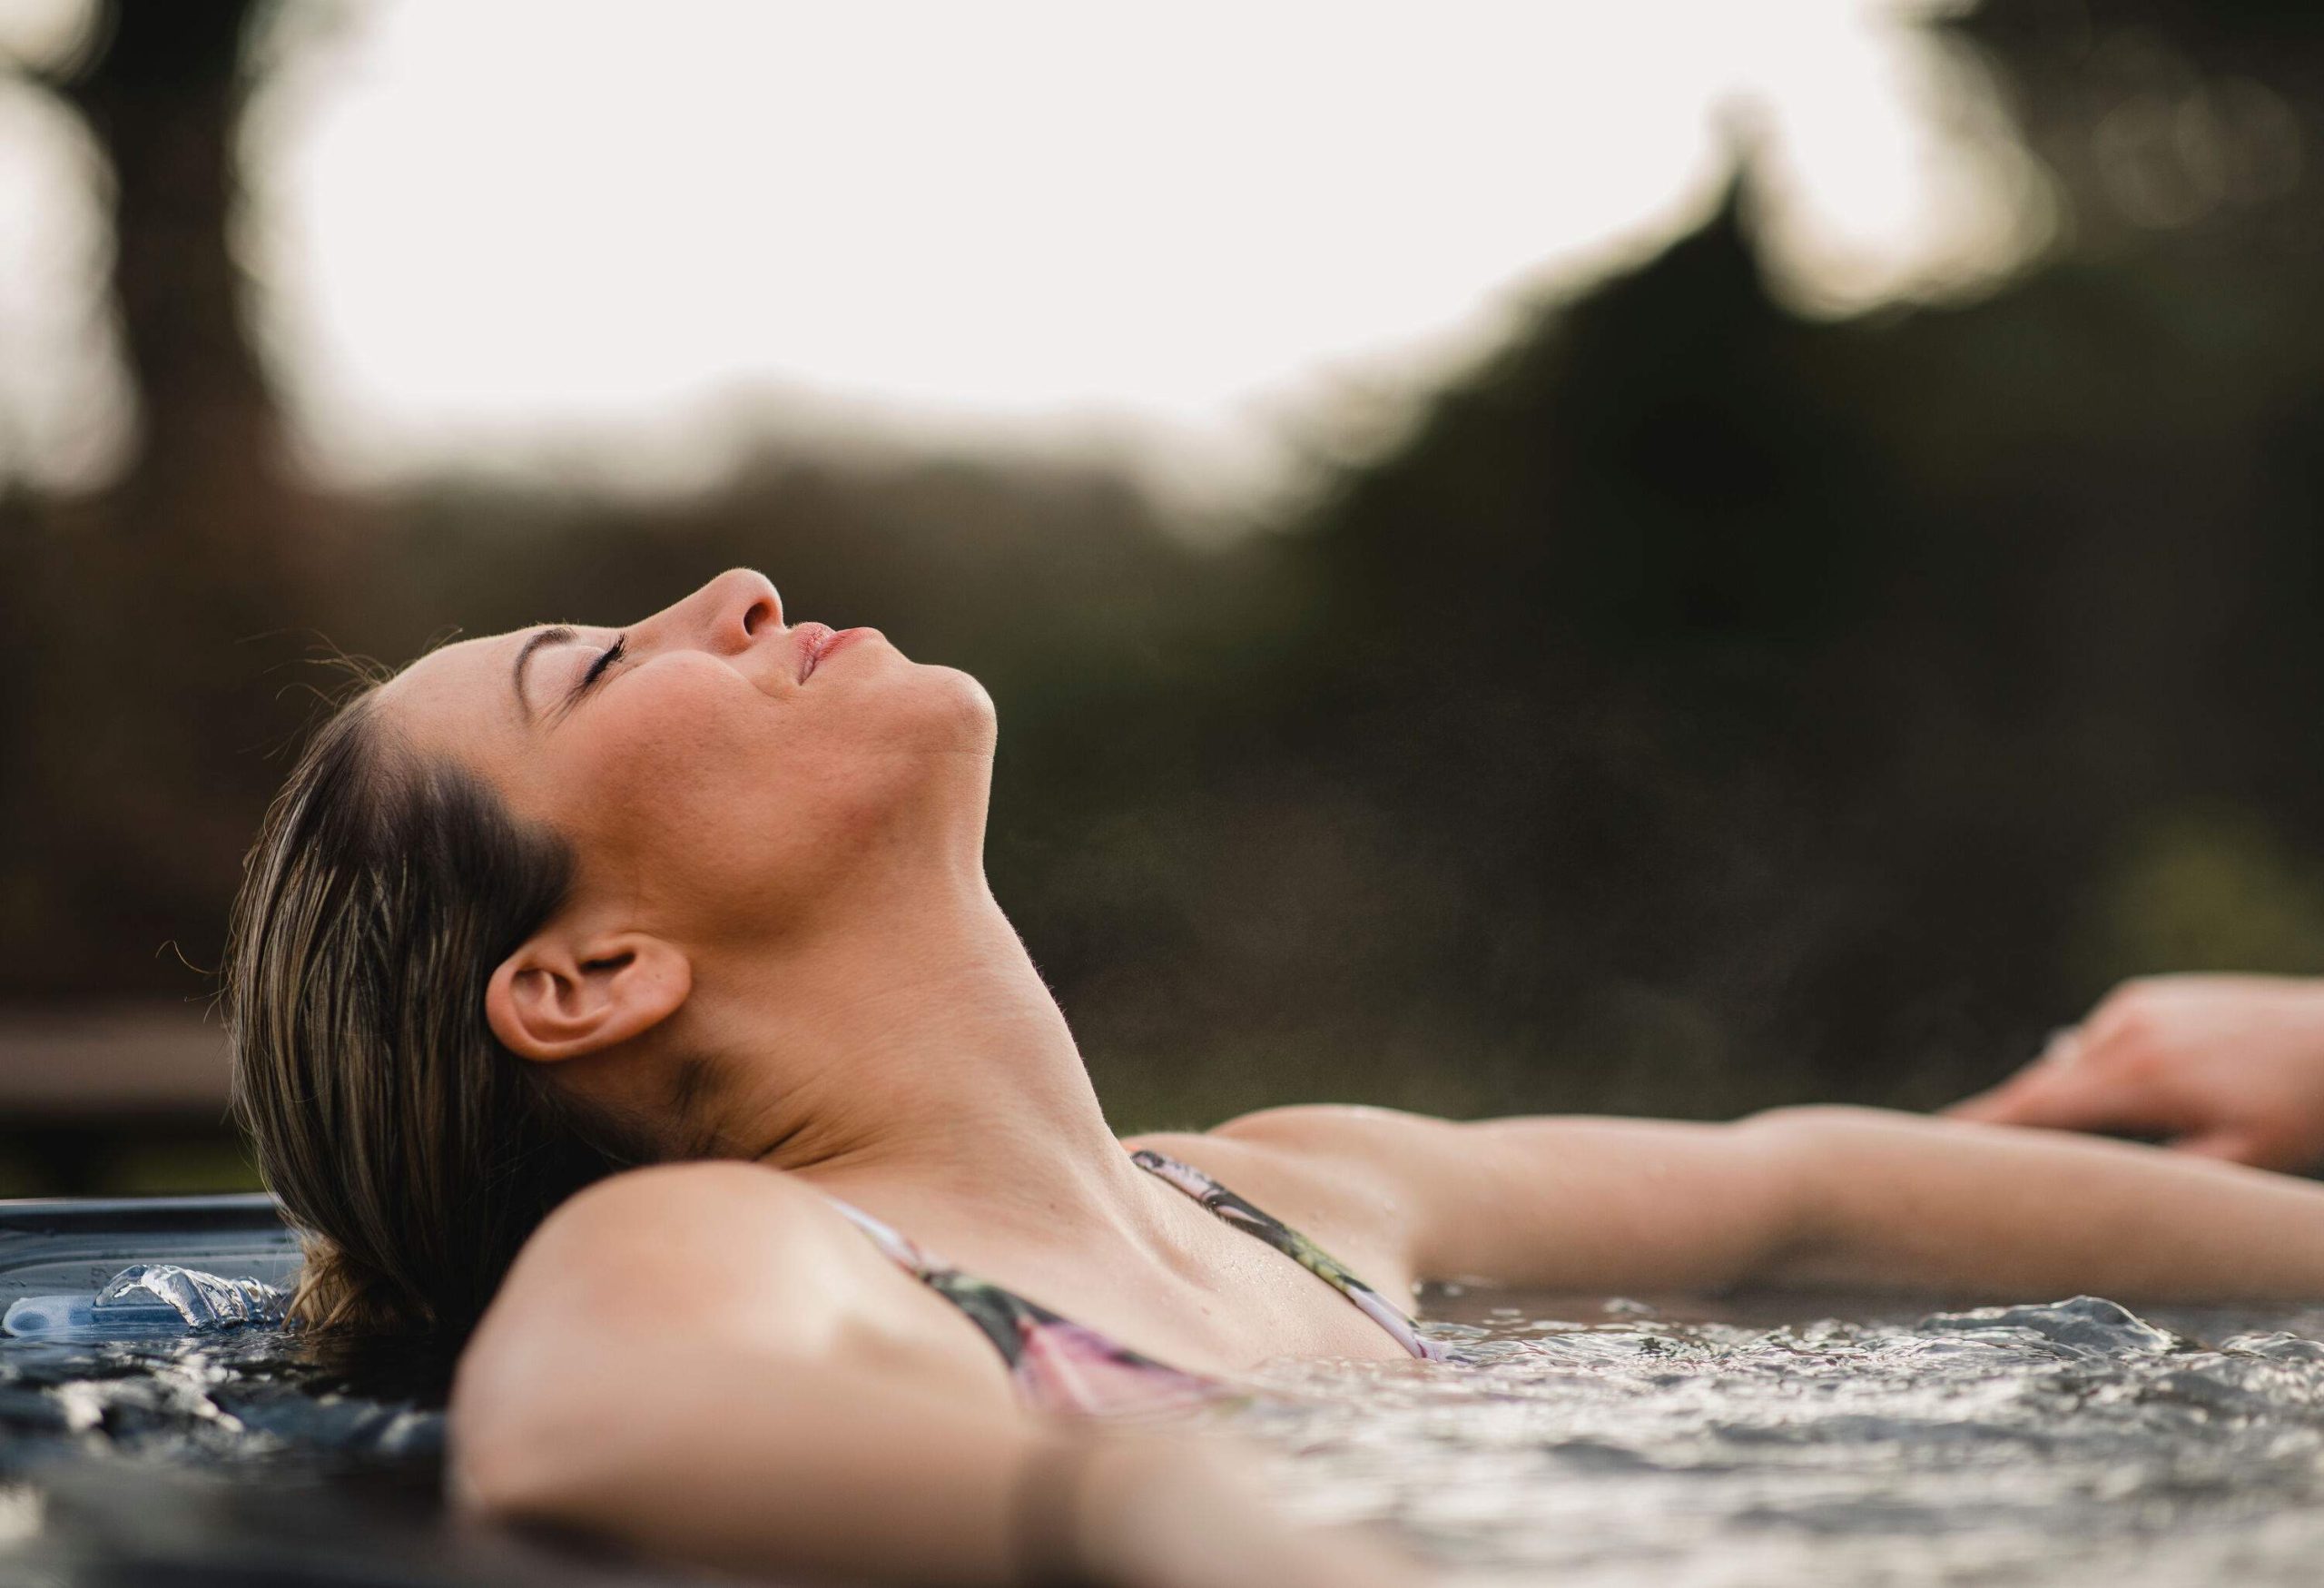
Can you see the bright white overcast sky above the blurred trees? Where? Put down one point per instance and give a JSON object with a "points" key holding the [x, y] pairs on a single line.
{"points": [[615, 238]]}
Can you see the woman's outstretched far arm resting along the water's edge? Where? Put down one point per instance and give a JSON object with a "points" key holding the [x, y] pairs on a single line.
{"points": [[1812, 1196]]}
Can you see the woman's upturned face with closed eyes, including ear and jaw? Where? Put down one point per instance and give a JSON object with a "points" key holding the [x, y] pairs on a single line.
{"points": [[754, 850]]}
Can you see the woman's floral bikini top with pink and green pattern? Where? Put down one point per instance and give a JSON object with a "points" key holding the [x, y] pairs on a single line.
{"points": [[1063, 1366]]}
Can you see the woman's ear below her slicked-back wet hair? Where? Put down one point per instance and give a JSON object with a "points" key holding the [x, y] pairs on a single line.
{"points": [[566, 994]]}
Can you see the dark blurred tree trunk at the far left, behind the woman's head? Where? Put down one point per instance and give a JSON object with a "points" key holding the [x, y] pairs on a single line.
{"points": [[159, 606]]}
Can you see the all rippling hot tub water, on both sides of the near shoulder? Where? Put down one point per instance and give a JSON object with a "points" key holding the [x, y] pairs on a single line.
{"points": [[1579, 1443]]}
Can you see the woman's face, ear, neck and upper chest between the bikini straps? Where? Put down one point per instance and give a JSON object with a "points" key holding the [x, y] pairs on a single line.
{"points": [[787, 880]]}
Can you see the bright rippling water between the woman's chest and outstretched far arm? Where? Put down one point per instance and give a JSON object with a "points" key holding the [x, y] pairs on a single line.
{"points": [[1772, 1443]]}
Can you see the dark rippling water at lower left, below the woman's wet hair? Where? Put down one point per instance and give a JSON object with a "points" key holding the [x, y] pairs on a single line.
{"points": [[248, 1461]]}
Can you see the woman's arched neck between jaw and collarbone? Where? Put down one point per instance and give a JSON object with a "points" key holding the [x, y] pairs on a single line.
{"points": [[910, 1045]]}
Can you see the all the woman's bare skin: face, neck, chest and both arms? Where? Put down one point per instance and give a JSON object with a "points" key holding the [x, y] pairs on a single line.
{"points": [[782, 952]]}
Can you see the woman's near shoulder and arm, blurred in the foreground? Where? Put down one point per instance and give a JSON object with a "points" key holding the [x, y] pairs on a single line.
{"points": [[689, 1364]]}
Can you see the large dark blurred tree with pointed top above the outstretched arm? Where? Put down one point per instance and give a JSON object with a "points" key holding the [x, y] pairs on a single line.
{"points": [[1709, 706]]}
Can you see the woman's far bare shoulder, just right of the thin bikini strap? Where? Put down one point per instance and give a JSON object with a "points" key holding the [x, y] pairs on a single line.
{"points": [[1335, 1173]]}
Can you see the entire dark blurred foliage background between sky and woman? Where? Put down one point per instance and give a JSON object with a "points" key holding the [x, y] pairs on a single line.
{"points": [[1700, 708]]}
